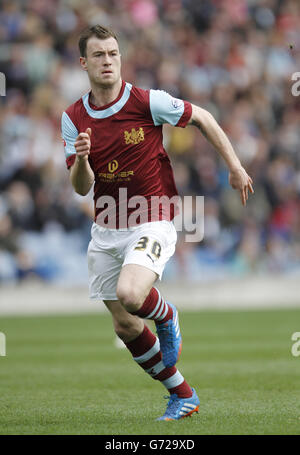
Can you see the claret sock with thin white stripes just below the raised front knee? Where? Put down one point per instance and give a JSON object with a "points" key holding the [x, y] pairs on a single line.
{"points": [[155, 307]]}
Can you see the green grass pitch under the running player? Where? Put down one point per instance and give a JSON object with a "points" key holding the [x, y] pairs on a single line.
{"points": [[63, 375]]}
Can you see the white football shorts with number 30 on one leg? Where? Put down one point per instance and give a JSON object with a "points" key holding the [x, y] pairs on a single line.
{"points": [[150, 245]]}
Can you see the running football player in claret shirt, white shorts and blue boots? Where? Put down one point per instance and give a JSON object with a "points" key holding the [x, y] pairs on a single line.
{"points": [[113, 140]]}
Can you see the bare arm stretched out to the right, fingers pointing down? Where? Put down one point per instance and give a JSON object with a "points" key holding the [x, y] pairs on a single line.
{"points": [[238, 177]]}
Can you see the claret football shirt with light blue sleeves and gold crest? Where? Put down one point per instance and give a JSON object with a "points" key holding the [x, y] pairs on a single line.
{"points": [[126, 143]]}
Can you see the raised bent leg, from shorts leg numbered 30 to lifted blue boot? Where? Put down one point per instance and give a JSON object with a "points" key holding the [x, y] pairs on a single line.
{"points": [[144, 262]]}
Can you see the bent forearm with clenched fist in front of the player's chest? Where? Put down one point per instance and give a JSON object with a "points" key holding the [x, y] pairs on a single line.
{"points": [[81, 174]]}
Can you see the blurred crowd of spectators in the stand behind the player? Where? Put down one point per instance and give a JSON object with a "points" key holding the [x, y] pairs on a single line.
{"points": [[234, 58]]}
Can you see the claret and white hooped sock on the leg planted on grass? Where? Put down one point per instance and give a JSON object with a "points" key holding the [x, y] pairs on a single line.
{"points": [[146, 352]]}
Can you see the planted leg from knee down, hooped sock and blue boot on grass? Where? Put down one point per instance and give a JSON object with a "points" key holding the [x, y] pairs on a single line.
{"points": [[145, 349]]}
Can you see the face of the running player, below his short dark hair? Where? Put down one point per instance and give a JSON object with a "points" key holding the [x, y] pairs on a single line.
{"points": [[102, 61]]}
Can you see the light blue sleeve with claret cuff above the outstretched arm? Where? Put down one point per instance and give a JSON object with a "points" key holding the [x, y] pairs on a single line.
{"points": [[166, 109]]}
